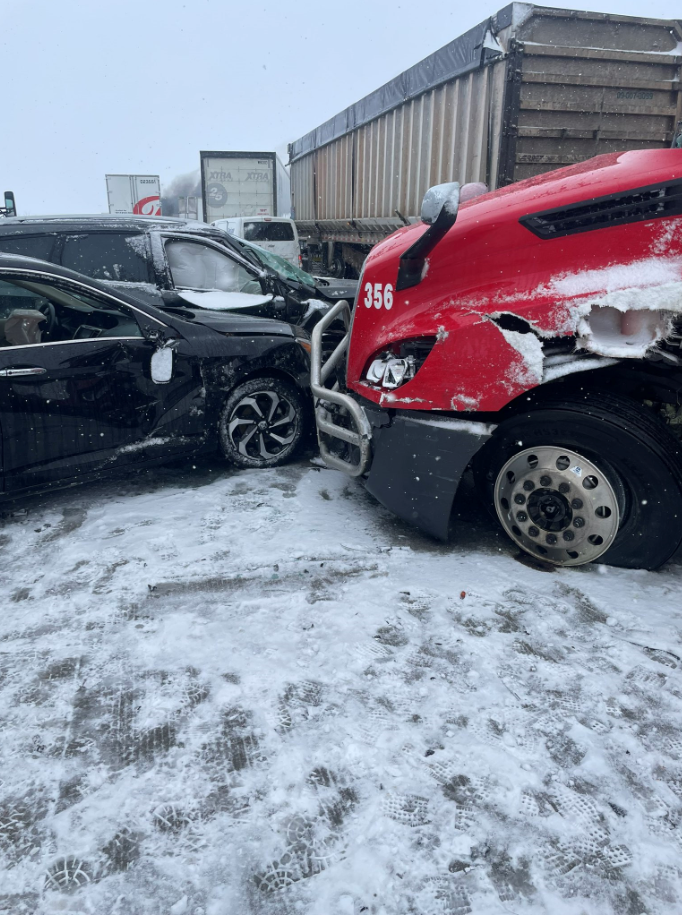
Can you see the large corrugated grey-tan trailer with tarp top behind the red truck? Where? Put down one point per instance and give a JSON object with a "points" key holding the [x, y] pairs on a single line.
{"points": [[528, 90]]}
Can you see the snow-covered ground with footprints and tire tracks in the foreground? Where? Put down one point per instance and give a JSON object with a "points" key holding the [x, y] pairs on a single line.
{"points": [[263, 694]]}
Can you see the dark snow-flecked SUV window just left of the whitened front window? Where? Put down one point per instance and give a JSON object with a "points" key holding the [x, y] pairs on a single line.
{"points": [[107, 256]]}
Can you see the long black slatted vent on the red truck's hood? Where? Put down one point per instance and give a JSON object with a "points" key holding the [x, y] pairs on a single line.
{"points": [[652, 202]]}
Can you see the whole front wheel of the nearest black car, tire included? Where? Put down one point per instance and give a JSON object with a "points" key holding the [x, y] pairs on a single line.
{"points": [[262, 423]]}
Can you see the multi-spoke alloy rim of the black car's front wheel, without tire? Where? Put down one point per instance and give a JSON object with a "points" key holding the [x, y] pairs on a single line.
{"points": [[262, 425]]}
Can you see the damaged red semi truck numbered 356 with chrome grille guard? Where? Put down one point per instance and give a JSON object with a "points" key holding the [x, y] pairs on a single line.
{"points": [[534, 334]]}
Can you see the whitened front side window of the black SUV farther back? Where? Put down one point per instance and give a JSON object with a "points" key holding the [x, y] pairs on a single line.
{"points": [[197, 266]]}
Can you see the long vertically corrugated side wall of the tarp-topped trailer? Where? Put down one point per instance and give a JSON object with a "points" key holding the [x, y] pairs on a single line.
{"points": [[390, 163]]}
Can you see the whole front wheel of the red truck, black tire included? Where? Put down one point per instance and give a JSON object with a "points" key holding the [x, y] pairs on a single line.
{"points": [[576, 480]]}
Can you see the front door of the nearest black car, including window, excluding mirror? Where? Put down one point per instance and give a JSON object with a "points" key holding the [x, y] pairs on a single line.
{"points": [[76, 388]]}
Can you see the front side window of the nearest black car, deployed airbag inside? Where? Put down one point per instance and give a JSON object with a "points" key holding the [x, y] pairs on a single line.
{"points": [[33, 313]]}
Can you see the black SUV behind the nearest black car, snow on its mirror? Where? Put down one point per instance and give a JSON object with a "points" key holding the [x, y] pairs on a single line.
{"points": [[175, 264]]}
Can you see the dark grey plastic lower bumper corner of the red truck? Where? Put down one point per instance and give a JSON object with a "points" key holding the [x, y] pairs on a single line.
{"points": [[418, 463]]}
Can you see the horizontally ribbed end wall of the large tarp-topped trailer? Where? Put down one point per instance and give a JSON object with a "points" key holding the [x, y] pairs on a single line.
{"points": [[585, 84]]}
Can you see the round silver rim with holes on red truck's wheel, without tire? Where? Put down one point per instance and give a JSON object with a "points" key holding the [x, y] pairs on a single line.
{"points": [[557, 505]]}
